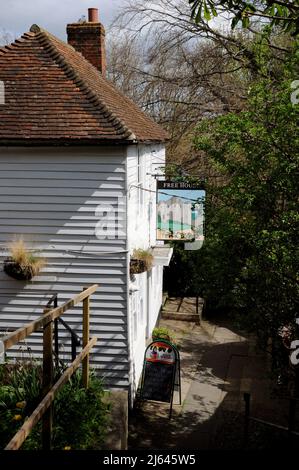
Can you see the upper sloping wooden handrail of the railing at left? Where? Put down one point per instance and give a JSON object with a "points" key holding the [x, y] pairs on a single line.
{"points": [[23, 332]]}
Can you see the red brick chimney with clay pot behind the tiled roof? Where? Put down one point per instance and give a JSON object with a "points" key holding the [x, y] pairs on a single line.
{"points": [[88, 37]]}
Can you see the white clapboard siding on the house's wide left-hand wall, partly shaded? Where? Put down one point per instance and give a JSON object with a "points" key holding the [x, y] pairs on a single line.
{"points": [[50, 197]]}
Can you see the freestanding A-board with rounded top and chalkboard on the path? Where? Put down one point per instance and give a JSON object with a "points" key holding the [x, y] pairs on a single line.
{"points": [[161, 371]]}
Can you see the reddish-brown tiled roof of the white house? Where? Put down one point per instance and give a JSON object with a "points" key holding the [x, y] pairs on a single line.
{"points": [[53, 94]]}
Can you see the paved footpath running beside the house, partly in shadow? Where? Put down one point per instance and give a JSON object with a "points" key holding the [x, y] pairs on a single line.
{"points": [[217, 366]]}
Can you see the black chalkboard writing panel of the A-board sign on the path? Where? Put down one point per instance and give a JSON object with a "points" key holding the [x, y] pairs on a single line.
{"points": [[158, 381]]}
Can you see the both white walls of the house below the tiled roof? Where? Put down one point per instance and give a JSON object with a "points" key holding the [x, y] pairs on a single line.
{"points": [[50, 197]]}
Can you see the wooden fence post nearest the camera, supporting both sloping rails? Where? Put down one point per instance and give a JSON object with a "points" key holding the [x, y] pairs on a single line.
{"points": [[47, 382]]}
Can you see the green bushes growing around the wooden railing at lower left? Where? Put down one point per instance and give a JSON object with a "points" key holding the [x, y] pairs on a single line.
{"points": [[80, 416]]}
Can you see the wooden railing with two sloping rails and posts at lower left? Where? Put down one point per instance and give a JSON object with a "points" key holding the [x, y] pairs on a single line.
{"points": [[45, 408]]}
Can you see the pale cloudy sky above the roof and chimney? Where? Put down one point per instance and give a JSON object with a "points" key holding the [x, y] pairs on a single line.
{"points": [[16, 16]]}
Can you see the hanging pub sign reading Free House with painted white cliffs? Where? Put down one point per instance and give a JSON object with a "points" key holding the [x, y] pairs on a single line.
{"points": [[180, 211]]}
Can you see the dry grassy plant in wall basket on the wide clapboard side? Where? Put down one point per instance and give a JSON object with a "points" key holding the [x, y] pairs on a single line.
{"points": [[22, 264]]}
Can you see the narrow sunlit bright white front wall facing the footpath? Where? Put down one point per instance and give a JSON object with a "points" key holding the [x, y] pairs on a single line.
{"points": [[144, 305]]}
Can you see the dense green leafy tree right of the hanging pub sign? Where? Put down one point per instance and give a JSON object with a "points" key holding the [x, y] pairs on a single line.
{"points": [[250, 258]]}
